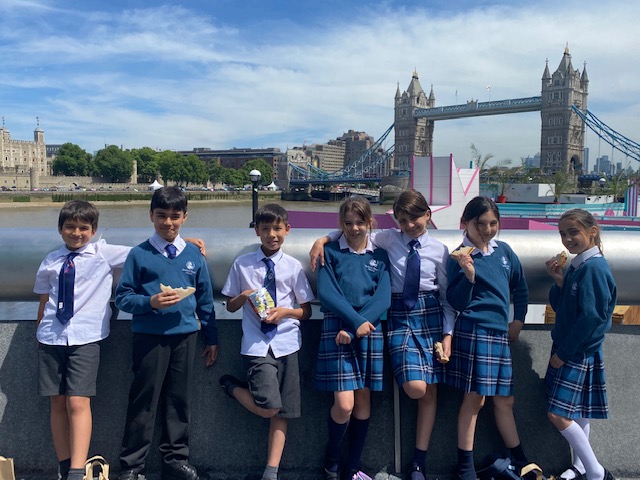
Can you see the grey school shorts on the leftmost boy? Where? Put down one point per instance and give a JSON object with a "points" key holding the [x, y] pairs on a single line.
{"points": [[68, 370]]}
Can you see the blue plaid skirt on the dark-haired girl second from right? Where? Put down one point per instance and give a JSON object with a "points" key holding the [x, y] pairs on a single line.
{"points": [[480, 360]]}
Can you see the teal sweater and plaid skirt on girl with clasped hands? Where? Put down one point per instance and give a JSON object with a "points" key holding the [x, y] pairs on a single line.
{"points": [[353, 288]]}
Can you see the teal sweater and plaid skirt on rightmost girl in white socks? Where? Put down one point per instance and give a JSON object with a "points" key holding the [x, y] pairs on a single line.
{"points": [[584, 307]]}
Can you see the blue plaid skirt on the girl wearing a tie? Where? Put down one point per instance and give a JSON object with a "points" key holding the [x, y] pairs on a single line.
{"points": [[411, 336]]}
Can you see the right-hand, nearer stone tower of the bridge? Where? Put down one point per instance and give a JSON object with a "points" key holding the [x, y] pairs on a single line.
{"points": [[562, 133]]}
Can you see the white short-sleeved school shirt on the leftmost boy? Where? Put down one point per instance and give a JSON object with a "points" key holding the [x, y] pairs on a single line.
{"points": [[92, 293]]}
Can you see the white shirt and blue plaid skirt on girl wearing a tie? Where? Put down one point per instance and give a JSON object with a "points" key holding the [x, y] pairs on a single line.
{"points": [[413, 332]]}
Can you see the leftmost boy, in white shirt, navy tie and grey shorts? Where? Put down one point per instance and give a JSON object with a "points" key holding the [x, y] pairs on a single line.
{"points": [[74, 284]]}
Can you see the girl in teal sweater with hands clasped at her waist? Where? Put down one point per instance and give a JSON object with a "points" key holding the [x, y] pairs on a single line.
{"points": [[354, 292]]}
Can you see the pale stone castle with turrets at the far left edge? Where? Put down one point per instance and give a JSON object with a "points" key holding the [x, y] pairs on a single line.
{"points": [[22, 162]]}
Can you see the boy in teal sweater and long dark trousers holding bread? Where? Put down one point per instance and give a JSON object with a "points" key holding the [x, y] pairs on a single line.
{"points": [[164, 337]]}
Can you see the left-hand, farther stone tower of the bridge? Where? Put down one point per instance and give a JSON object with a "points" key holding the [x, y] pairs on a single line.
{"points": [[414, 136]]}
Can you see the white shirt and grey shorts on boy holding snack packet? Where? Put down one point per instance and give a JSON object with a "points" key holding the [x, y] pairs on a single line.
{"points": [[263, 354]]}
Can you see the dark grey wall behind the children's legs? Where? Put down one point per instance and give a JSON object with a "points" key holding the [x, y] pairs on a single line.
{"points": [[232, 442]]}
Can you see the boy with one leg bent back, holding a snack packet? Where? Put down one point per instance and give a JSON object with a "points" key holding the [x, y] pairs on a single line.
{"points": [[269, 347]]}
